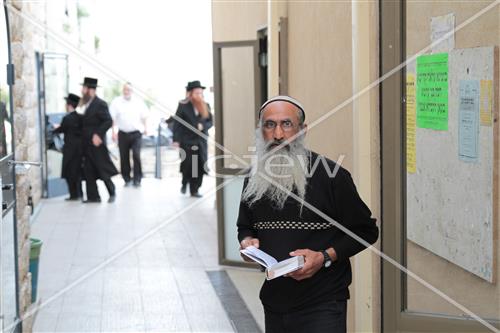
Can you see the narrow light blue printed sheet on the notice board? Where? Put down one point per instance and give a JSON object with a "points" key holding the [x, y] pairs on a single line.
{"points": [[468, 120]]}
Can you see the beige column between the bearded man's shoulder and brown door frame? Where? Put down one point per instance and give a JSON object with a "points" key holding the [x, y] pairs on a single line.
{"points": [[364, 113]]}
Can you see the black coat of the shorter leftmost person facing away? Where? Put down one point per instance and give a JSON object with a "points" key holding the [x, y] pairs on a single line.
{"points": [[71, 127]]}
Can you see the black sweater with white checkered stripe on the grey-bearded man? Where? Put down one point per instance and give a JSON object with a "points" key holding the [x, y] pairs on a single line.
{"points": [[281, 231]]}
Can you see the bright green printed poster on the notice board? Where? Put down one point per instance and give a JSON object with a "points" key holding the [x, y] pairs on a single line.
{"points": [[432, 91]]}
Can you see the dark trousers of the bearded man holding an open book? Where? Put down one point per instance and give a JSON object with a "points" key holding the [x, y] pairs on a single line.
{"points": [[328, 317]]}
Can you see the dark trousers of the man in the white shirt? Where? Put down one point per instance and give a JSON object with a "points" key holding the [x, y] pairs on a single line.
{"points": [[126, 142]]}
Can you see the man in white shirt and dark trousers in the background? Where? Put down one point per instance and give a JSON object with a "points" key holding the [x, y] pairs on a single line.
{"points": [[129, 117]]}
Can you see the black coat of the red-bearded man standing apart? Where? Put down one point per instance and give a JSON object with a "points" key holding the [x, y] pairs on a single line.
{"points": [[187, 137]]}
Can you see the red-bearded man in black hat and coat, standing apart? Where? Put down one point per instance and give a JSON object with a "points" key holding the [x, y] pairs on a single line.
{"points": [[192, 140]]}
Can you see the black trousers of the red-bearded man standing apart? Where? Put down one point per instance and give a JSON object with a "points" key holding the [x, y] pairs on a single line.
{"points": [[192, 169]]}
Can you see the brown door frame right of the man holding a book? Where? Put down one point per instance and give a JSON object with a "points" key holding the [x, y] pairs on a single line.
{"points": [[393, 151]]}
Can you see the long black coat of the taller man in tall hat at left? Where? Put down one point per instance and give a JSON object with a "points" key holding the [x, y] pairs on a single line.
{"points": [[97, 120]]}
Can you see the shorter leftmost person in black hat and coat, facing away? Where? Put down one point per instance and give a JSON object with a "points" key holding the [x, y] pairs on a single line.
{"points": [[71, 127]]}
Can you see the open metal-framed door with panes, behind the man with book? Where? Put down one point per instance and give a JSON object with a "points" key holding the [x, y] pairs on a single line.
{"points": [[238, 90]]}
